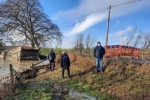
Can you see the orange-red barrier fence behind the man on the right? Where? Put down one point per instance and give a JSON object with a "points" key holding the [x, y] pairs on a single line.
{"points": [[120, 50]]}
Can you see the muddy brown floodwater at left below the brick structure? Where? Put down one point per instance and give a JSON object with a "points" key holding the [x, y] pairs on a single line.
{"points": [[19, 66]]}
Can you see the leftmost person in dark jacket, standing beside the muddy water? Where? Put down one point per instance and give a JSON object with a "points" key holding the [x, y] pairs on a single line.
{"points": [[51, 58]]}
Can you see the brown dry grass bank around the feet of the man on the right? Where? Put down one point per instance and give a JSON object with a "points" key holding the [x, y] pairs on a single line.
{"points": [[123, 79]]}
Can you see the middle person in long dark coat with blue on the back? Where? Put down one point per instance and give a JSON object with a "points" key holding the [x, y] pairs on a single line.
{"points": [[65, 64]]}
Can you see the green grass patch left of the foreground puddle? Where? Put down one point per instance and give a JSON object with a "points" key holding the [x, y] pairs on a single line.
{"points": [[36, 91]]}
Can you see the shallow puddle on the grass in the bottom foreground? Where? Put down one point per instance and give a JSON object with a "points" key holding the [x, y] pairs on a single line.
{"points": [[61, 92]]}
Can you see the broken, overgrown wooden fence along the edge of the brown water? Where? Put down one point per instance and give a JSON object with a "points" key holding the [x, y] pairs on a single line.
{"points": [[12, 82]]}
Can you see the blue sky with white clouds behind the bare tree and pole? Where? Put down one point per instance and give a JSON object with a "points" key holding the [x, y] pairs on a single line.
{"points": [[75, 17]]}
